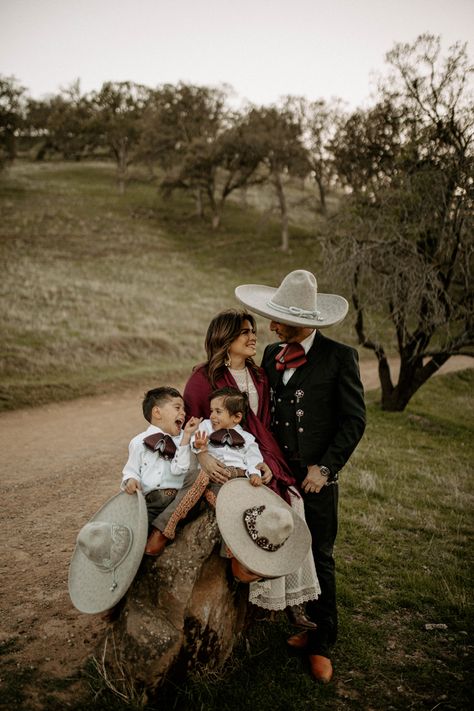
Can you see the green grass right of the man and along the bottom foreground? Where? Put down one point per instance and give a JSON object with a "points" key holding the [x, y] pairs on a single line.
{"points": [[403, 556]]}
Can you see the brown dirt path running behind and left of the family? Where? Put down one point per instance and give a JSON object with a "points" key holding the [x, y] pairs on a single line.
{"points": [[59, 464]]}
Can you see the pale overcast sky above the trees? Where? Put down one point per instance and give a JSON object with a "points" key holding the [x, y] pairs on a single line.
{"points": [[263, 48]]}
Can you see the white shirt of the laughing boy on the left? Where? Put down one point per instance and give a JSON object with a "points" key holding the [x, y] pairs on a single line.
{"points": [[152, 470]]}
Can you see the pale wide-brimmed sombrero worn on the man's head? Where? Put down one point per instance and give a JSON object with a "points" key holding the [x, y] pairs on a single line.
{"points": [[296, 302]]}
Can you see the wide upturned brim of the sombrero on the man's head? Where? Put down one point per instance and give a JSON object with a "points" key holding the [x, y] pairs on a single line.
{"points": [[332, 307]]}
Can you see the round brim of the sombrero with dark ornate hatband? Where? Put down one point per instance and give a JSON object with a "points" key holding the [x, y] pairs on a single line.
{"points": [[235, 497]]}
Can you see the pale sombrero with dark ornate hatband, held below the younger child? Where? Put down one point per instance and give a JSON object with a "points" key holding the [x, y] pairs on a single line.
{"points": [[261, 529]]}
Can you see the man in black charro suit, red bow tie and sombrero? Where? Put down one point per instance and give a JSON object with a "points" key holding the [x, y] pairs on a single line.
{"points": [[318, 419]]}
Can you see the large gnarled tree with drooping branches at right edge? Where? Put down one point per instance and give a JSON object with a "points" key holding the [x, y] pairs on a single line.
{"points": [[405, 238]]}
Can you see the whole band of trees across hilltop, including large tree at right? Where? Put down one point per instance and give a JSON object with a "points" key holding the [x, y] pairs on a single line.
{"points": [[403, 233]]}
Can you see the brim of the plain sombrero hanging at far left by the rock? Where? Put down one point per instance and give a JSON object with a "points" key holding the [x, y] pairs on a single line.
{"points": [[89, 587]]}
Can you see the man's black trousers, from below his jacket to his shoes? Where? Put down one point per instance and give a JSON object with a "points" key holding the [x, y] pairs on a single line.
{"points": [[321, 517]]}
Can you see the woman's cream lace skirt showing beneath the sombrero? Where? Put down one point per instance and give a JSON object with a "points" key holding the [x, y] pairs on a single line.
{"points": [[293, 589]]}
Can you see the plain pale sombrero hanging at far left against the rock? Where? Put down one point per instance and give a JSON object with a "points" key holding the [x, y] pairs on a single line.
{"points": [[108, 553]]}
